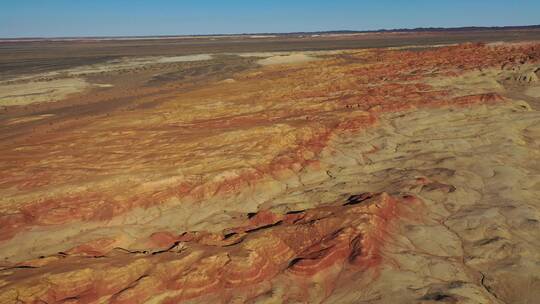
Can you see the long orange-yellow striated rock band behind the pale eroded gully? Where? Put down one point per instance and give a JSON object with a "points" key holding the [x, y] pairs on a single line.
{"points": [[311, 100]]}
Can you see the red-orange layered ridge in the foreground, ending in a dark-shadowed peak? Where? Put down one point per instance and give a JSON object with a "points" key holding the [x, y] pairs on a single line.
{"points": [[305, 248]]}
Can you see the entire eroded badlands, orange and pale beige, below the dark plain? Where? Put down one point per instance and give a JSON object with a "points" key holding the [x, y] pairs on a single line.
{"points": [[368, 176]]}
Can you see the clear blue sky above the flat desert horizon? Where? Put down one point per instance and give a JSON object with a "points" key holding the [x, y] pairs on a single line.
{"points": [[53, 18]]}
